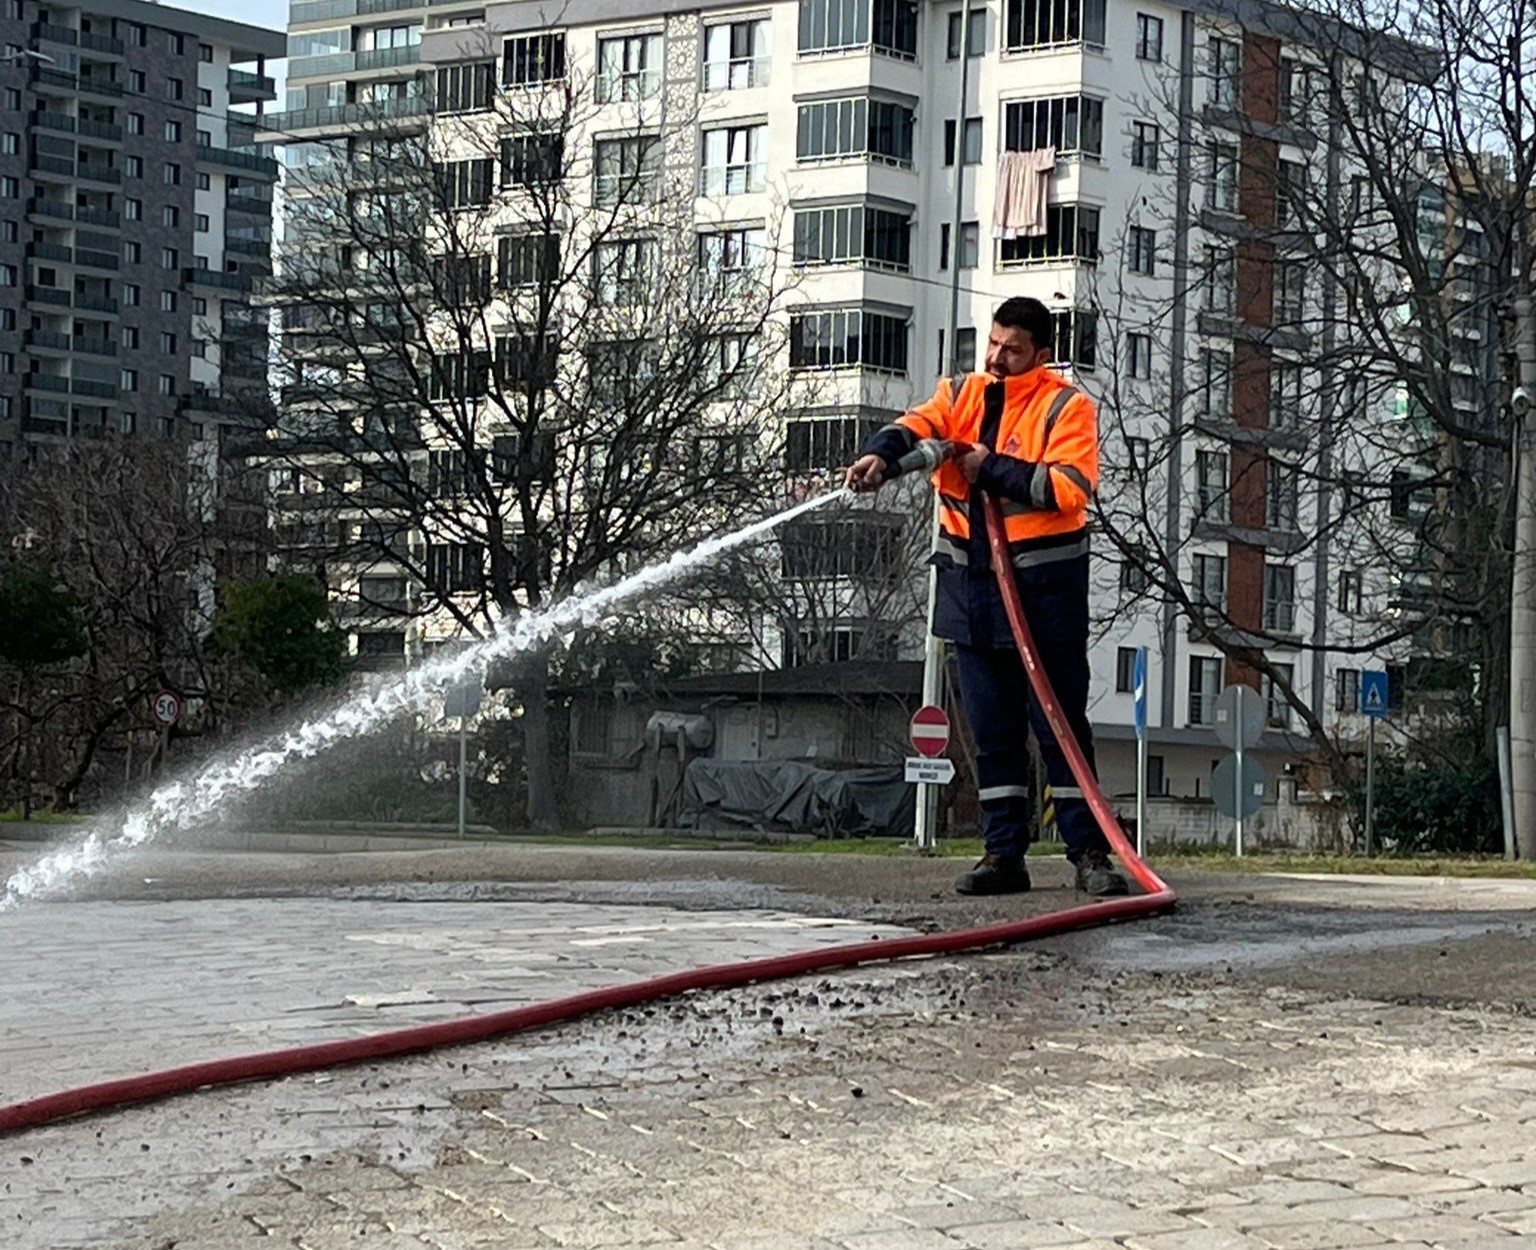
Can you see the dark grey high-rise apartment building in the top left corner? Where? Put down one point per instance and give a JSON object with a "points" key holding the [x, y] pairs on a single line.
{"points": [[134, 219]]}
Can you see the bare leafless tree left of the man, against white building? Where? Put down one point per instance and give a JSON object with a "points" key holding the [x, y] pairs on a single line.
{"points": [[514, 360]]}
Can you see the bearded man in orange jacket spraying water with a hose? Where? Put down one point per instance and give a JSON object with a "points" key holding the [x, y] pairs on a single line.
{"points": [[1031, 441]]}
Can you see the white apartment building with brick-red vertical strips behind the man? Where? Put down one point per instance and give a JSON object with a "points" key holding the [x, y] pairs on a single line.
{"points": [[829, 134]]}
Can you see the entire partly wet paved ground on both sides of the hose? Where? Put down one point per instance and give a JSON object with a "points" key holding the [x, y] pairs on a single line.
{"points": [[1283, 1065]]}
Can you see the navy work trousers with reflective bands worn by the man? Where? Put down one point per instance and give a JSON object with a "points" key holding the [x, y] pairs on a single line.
{"points": [[1002, 710]]}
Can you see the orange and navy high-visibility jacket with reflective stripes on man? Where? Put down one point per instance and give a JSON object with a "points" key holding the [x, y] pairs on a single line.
{"points": [[1045, 471]]}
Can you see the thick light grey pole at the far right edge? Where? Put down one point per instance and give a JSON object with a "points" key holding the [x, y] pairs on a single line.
{"points": [[1523, 595]]}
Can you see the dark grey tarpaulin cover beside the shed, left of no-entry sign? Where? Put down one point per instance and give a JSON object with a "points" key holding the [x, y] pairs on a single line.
{"points": [[795, 796]]}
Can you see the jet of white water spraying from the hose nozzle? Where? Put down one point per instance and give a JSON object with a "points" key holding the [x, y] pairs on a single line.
{"points": [[180, 804]]}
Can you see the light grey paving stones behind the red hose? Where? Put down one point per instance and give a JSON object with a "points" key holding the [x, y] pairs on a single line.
{"points": [[93, 991]]}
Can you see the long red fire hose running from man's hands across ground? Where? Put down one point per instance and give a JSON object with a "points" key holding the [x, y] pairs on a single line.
{"points": [[480, 1028]]}
